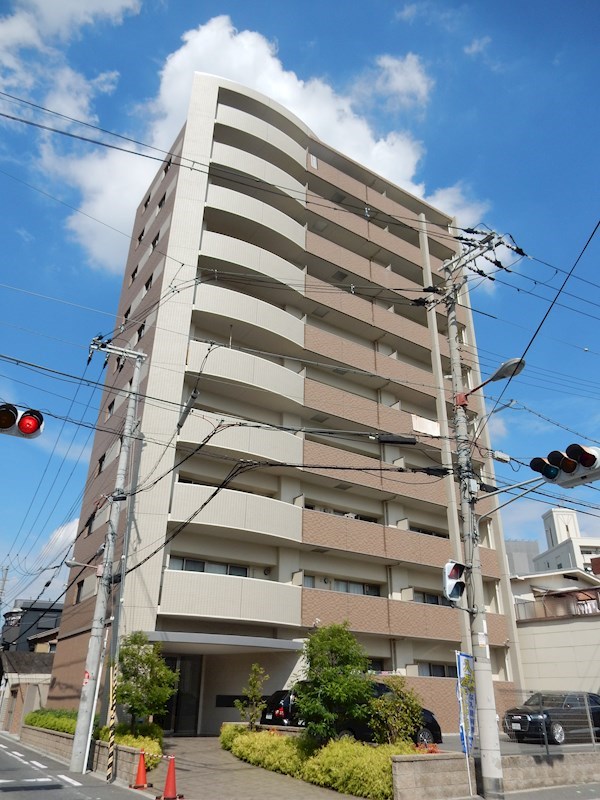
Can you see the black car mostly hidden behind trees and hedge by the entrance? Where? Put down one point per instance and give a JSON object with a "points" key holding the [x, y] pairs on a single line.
{"points": [[281, 710]]}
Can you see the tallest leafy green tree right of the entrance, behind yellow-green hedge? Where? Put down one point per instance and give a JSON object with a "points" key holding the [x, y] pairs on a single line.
{"points": [[336, 683]]}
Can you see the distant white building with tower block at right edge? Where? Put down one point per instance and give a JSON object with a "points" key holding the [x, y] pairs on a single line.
{"points": [[567, 548]]}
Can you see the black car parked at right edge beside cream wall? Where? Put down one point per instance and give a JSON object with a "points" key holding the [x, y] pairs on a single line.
{"points": [[563, 714]]}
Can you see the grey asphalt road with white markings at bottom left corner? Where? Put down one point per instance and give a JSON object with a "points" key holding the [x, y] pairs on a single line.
{"points": [[25, 774]]}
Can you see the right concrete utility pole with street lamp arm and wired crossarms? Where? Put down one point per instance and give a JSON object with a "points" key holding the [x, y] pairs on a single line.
{"points": [[489, 740]]}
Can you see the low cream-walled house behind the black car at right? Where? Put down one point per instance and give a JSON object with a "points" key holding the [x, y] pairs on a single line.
{"points": [[558, 625]]}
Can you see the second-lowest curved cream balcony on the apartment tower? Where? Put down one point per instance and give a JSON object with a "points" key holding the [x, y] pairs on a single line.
{"points": [[259, 518]]}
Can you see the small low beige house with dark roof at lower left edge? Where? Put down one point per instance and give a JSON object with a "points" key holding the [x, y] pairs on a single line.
{"points": [[23, 687]]}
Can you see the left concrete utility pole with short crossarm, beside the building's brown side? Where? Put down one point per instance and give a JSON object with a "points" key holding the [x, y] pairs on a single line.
{"points": [[93, 664]]}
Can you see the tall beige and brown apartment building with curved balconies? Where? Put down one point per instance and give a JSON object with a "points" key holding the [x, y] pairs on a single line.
{"points": [[277, 289]]}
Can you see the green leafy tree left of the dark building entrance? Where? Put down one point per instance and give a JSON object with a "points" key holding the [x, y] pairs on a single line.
{"points": [[144, 681]]}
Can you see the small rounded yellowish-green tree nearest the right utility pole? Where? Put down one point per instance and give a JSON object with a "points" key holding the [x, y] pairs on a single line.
{"points": [[397, 715]]}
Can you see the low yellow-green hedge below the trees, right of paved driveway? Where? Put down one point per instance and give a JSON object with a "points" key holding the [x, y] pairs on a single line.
{"points": [[345, 765]]}
